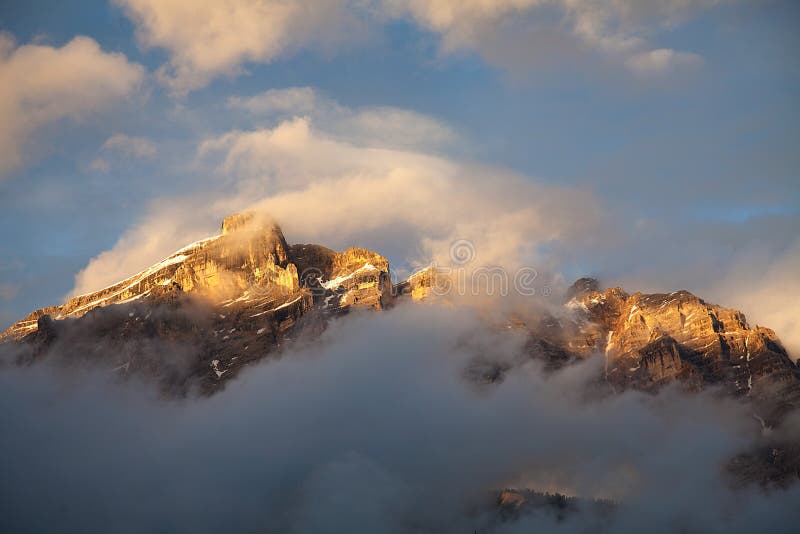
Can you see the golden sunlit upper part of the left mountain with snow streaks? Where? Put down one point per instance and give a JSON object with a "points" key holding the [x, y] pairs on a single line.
{"points": [[249, 257]]}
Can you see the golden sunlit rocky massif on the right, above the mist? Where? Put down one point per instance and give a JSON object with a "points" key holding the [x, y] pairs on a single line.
{"points": [[651, 339]]}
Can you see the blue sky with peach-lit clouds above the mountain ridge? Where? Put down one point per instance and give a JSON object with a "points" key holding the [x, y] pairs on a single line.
{"points": [[650, 143]]}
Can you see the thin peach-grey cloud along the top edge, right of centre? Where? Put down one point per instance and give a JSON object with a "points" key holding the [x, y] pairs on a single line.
{"points": [[517, 33]]}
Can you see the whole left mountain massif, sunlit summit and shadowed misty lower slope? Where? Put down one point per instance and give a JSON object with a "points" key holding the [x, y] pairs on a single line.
{"points": [[229, 300]]}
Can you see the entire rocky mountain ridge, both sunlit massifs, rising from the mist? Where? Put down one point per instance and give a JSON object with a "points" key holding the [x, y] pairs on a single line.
{"points": [[194, 320]]}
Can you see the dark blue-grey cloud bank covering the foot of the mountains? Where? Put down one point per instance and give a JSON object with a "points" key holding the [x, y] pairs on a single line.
{"points": [[372, 428]]}
